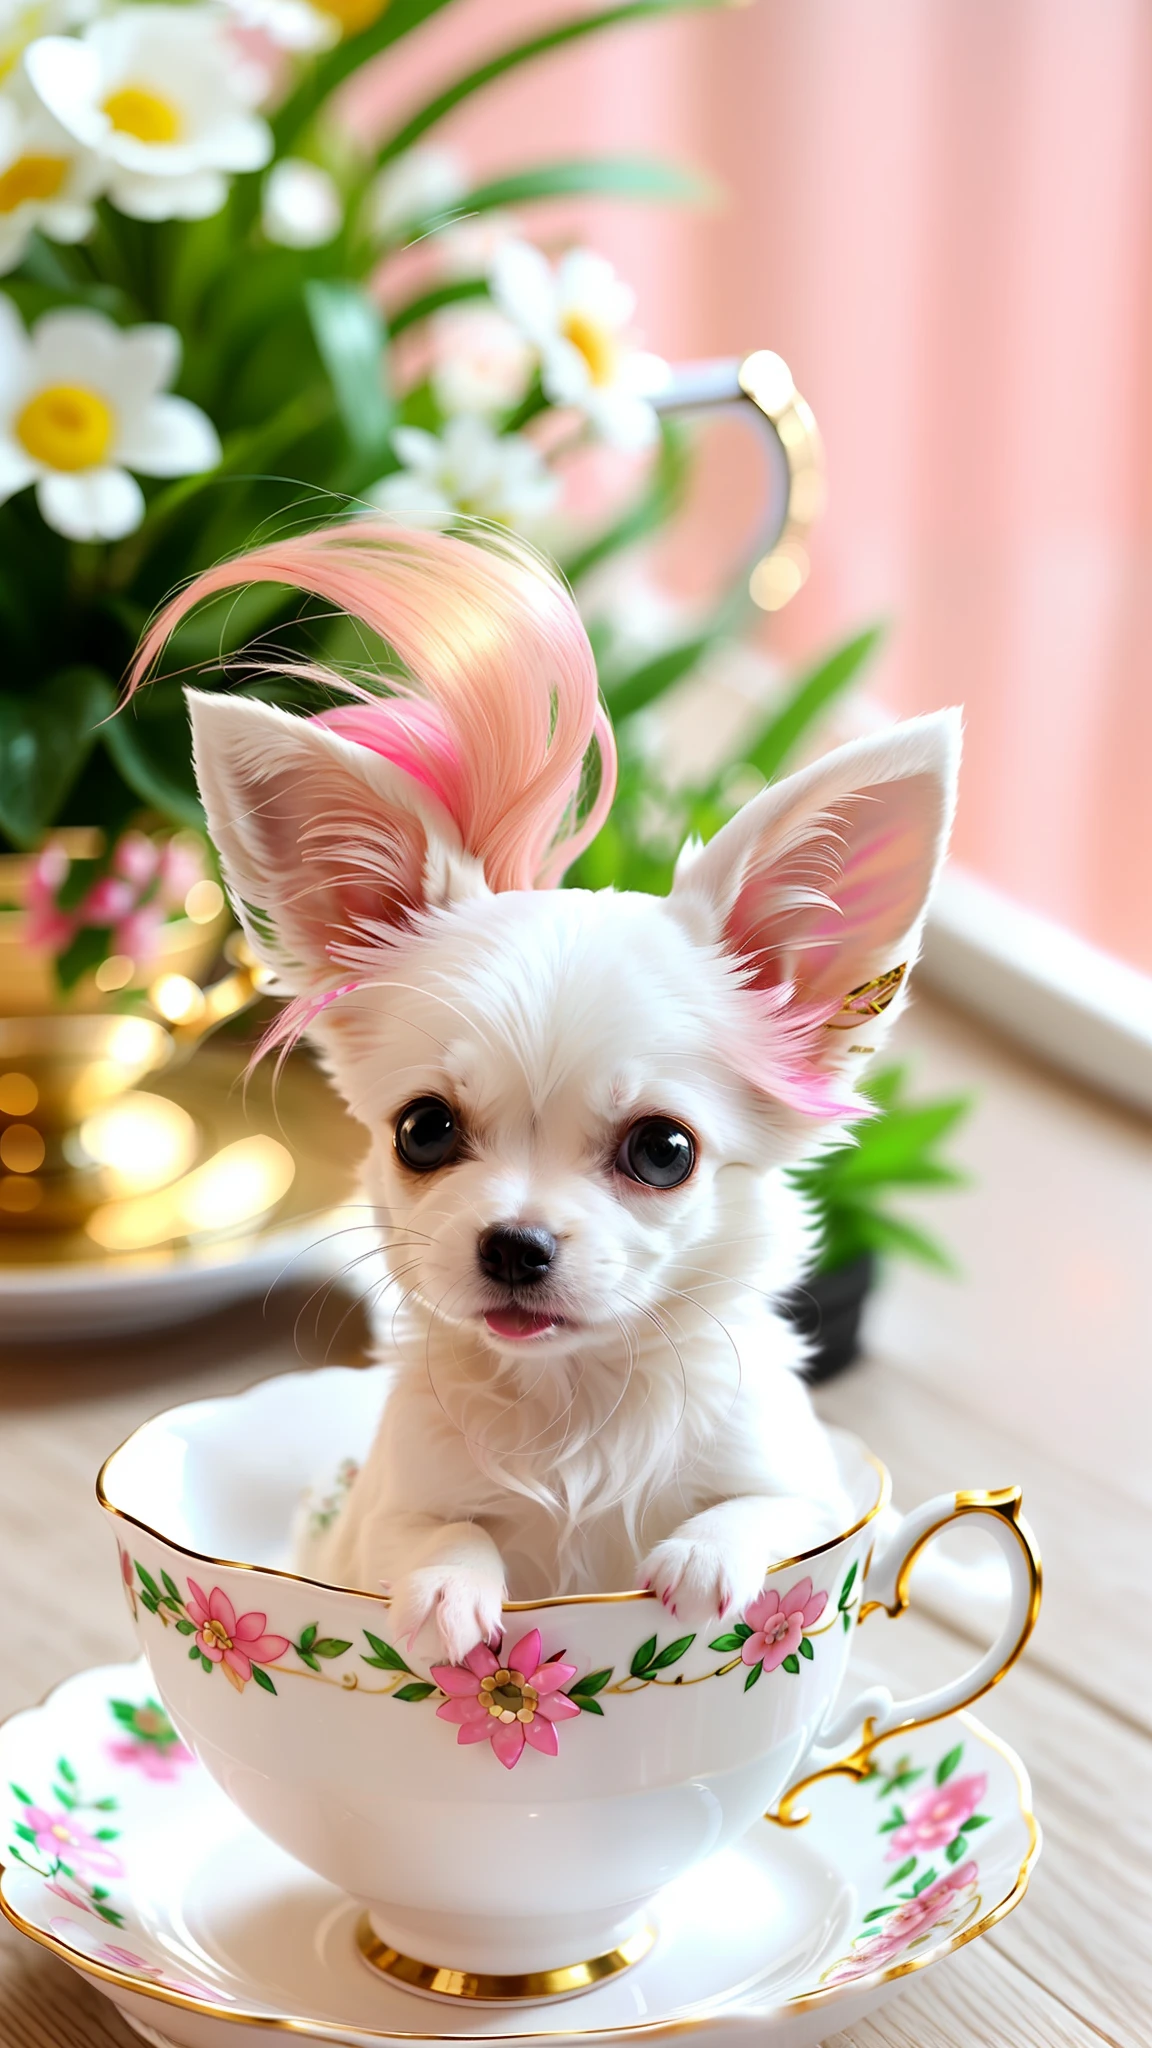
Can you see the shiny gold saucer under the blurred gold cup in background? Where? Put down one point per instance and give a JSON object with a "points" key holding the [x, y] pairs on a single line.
{"points": [[257, 1160]]}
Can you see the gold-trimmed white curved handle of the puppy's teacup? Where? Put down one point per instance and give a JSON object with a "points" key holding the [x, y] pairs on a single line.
{"points": [[880, 1713]]}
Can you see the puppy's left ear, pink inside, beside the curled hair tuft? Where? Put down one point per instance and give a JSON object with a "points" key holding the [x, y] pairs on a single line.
{"points": [[327, 847]]}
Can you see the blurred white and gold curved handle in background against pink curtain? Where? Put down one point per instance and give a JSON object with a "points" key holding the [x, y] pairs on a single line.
{"points": [[794, 499]]}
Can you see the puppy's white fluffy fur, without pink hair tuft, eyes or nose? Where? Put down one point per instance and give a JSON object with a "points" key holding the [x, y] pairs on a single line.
{"points": [[661, 1435]]}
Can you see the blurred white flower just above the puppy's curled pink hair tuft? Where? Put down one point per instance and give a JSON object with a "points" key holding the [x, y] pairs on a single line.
{"points": [[466, 470]]}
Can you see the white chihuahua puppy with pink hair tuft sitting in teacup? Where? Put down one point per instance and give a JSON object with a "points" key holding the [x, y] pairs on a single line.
{"points": [[581, 1105]]}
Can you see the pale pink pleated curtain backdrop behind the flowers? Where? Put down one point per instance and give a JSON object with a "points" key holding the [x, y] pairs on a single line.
{"points": [[940, 214]]}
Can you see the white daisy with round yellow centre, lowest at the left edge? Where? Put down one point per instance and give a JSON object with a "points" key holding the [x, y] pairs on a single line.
{"points": [[81, 404]]}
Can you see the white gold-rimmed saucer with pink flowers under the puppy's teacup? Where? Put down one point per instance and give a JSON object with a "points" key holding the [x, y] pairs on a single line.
{"points": [[126, 1861]]}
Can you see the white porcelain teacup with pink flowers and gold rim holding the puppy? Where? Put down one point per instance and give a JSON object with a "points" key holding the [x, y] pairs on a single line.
{"points": [[509, 1828]]}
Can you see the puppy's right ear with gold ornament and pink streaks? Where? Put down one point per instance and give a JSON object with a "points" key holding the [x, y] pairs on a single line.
{"points": [[821, 884]]}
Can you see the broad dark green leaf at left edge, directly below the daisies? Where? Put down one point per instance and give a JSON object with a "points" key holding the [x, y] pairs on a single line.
{"points": [[46, 738]]}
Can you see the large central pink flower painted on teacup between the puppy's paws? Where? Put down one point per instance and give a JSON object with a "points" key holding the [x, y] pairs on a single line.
{"points": [[507, 1703]]}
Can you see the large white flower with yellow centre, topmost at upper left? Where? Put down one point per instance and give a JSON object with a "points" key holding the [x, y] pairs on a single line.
{"points": [[165, 101]]}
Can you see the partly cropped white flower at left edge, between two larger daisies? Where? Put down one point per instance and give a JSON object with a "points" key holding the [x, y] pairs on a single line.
{"points": [[46, 181]]}
